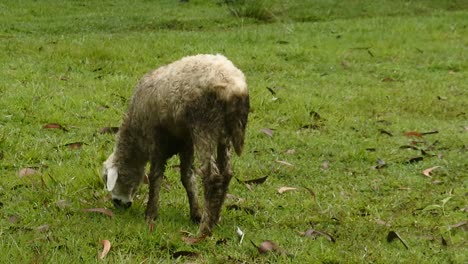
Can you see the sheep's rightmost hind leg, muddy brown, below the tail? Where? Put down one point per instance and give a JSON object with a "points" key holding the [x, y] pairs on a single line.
{"points": [[216, 178]]}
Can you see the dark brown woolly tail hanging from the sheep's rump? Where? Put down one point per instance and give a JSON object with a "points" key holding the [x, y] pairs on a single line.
{"points": [[238, 108]]}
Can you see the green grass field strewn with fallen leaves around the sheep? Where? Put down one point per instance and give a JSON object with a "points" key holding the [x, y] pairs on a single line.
{"points": [[363, 66]]}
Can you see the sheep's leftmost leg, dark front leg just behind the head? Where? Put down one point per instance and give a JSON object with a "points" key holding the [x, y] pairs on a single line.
{"points": [[155, 178]]}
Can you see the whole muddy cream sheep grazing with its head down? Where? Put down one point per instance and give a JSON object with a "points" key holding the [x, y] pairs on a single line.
{"points": [[198, 104]]}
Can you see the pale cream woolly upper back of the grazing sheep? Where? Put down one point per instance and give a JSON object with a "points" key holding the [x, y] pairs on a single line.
{"points": [[164, 95]]}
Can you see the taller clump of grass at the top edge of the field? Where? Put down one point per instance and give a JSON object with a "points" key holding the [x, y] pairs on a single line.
{"points": [[261, 10]]}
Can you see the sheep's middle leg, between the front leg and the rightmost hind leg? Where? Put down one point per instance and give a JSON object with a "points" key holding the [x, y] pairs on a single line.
{"points": [[190, 184]]}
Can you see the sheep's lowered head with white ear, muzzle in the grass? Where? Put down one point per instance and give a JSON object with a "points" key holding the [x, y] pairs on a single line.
{"points": [[120, 183]]}
